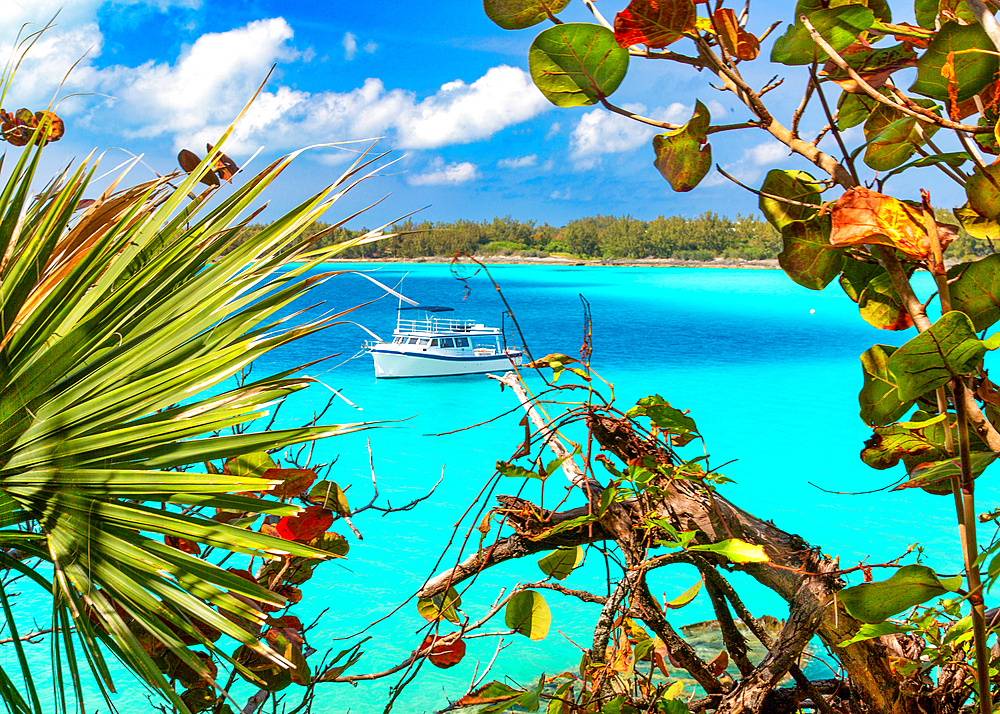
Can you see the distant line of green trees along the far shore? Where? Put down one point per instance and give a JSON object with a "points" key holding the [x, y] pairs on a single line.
{"points": [[703, 238]]}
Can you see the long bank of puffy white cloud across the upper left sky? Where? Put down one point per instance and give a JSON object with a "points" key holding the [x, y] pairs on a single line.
{"points": [[193, 98]]}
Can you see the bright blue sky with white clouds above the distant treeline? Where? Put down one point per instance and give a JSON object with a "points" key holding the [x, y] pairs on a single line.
{"points": [[446, 89]]}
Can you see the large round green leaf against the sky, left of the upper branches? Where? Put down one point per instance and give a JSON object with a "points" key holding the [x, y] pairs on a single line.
{"points": [[577, 64]]}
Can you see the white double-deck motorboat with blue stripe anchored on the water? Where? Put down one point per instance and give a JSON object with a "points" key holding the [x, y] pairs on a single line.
{"points": [[440, 347]]}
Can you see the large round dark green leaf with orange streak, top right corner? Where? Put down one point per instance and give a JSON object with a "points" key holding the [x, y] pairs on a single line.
{"points": [[971, 57]]}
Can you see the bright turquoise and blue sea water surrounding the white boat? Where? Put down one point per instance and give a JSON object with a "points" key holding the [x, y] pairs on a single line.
{"points": [[769, 371]]}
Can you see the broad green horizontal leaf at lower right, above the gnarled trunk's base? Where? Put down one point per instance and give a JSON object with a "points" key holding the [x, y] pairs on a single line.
{"points": [[908, 586]]}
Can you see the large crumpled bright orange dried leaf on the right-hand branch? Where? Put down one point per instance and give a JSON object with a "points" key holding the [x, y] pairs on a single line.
{"points": [[864, 217]]}
